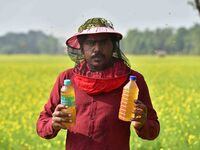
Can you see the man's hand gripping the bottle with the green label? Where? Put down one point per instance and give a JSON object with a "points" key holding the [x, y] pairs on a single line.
{"points": [[60, 117]]}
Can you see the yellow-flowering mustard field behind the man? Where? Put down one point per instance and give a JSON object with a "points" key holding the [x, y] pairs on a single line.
{"points": [[173, 81]]}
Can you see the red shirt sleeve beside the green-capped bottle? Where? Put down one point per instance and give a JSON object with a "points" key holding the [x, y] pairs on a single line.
{"points": [[44, 123]]}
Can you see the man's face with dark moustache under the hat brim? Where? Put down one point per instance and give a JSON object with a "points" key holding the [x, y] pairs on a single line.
{"points": [[98, 50]]}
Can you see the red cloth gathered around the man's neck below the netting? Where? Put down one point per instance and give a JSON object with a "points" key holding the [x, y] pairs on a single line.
{"points": [[101, 81]]}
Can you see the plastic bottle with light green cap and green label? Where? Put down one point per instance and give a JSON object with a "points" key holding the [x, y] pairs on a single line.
{"points": [[67, 99]]}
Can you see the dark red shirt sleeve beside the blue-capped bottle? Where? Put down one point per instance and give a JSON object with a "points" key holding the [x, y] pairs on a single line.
{"points": [[151, 128]]}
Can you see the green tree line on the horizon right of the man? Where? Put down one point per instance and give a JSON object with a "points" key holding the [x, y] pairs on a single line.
{"points": [[179, 41]]}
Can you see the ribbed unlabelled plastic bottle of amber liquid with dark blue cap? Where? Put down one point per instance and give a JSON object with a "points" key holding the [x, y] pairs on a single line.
{"points": [[129, 94]]}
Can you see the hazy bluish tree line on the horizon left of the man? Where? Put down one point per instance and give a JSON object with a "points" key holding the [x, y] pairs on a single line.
{"points": [[34, 42]]}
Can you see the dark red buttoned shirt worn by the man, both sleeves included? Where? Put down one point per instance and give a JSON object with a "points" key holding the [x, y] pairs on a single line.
{"points": [[97, 124]]}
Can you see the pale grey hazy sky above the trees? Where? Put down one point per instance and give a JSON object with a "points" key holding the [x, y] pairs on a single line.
{"points": [[62, 18]]}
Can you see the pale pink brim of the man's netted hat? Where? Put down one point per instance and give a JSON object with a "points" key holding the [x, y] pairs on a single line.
{"points": [[73, 41]]}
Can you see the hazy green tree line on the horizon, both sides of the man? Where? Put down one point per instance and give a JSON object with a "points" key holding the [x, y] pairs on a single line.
{"points": [[172, 41]]}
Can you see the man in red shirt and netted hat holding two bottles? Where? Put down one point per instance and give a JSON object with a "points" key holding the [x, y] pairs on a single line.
{"points": [[98, 78]]}
